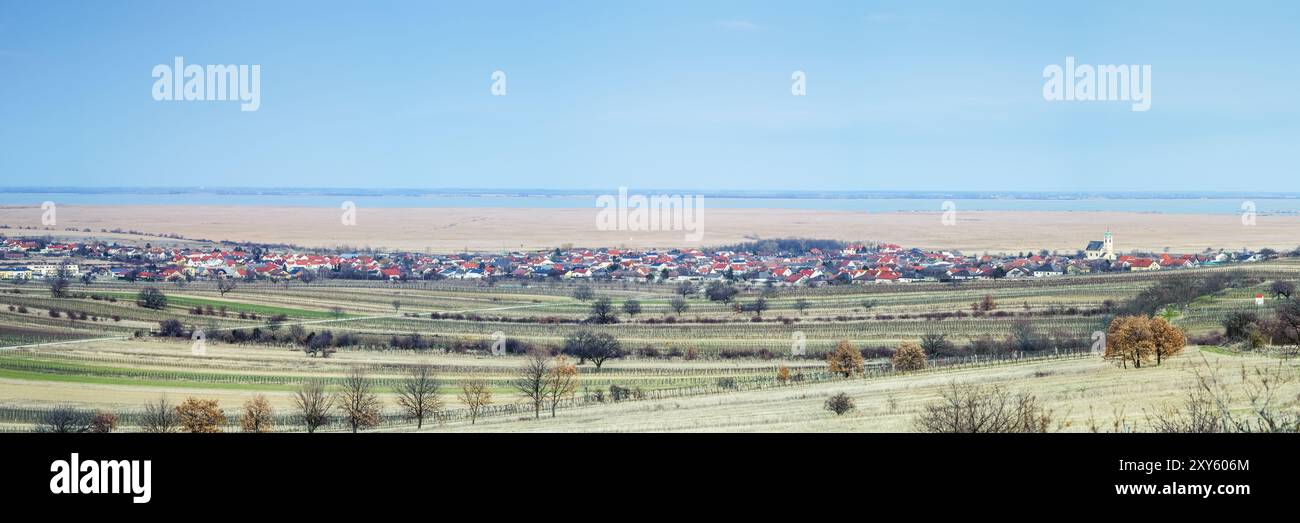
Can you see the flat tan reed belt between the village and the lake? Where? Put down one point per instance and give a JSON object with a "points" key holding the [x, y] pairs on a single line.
{"points": [[505, 230]]}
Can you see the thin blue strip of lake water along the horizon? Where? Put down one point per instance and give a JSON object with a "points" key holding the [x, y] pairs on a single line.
{"points": [[1228, 206]]}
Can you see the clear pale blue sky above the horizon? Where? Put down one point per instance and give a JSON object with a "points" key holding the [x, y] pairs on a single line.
{"points": [[657, 94]]}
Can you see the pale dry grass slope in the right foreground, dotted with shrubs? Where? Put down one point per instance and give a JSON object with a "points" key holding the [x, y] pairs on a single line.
{"points": [[1082, 394]]}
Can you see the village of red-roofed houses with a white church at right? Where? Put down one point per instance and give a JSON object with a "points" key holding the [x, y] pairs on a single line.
{"points": [[838, 265]]}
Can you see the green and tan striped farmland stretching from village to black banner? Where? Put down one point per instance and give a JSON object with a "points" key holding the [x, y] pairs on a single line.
{"points": [[678, 358]]}
